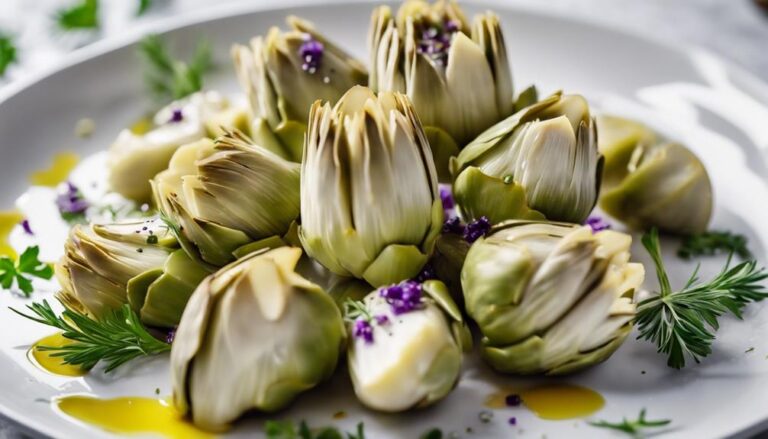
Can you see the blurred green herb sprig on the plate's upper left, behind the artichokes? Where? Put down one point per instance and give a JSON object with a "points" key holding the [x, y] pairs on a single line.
{"points": [[170, 79]]}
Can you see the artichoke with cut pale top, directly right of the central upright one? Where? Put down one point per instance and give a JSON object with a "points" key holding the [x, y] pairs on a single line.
{"points": [[540, 162]]}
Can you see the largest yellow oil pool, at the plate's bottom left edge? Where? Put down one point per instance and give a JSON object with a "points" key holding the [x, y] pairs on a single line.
{"points": [[131, 415]]}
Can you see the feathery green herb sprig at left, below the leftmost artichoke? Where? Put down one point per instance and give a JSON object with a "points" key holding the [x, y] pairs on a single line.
{"points": [[116, 339]]}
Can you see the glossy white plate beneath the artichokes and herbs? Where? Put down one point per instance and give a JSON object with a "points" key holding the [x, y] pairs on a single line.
{"points": [[689, 95]]}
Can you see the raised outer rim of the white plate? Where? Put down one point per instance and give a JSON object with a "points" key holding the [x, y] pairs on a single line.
{"points": [[746, 79]]}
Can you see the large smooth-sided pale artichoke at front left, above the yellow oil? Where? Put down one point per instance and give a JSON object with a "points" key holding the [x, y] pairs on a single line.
{"points": [[254, 336]]}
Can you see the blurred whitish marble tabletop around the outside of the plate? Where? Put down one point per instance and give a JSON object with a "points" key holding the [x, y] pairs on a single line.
{"points": [[735, 29]]}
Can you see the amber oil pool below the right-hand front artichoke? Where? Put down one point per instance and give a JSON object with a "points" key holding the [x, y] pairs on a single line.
{"points": [[562, 401]]}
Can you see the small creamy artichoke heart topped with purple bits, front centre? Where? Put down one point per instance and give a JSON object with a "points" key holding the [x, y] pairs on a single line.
{"points": [[407, 348]]}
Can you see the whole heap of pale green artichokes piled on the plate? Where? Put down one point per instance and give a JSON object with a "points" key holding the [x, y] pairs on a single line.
{"points": [[325, 178]]}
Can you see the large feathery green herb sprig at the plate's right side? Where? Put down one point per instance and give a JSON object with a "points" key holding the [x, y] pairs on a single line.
{"points": [[682, 323]]}
